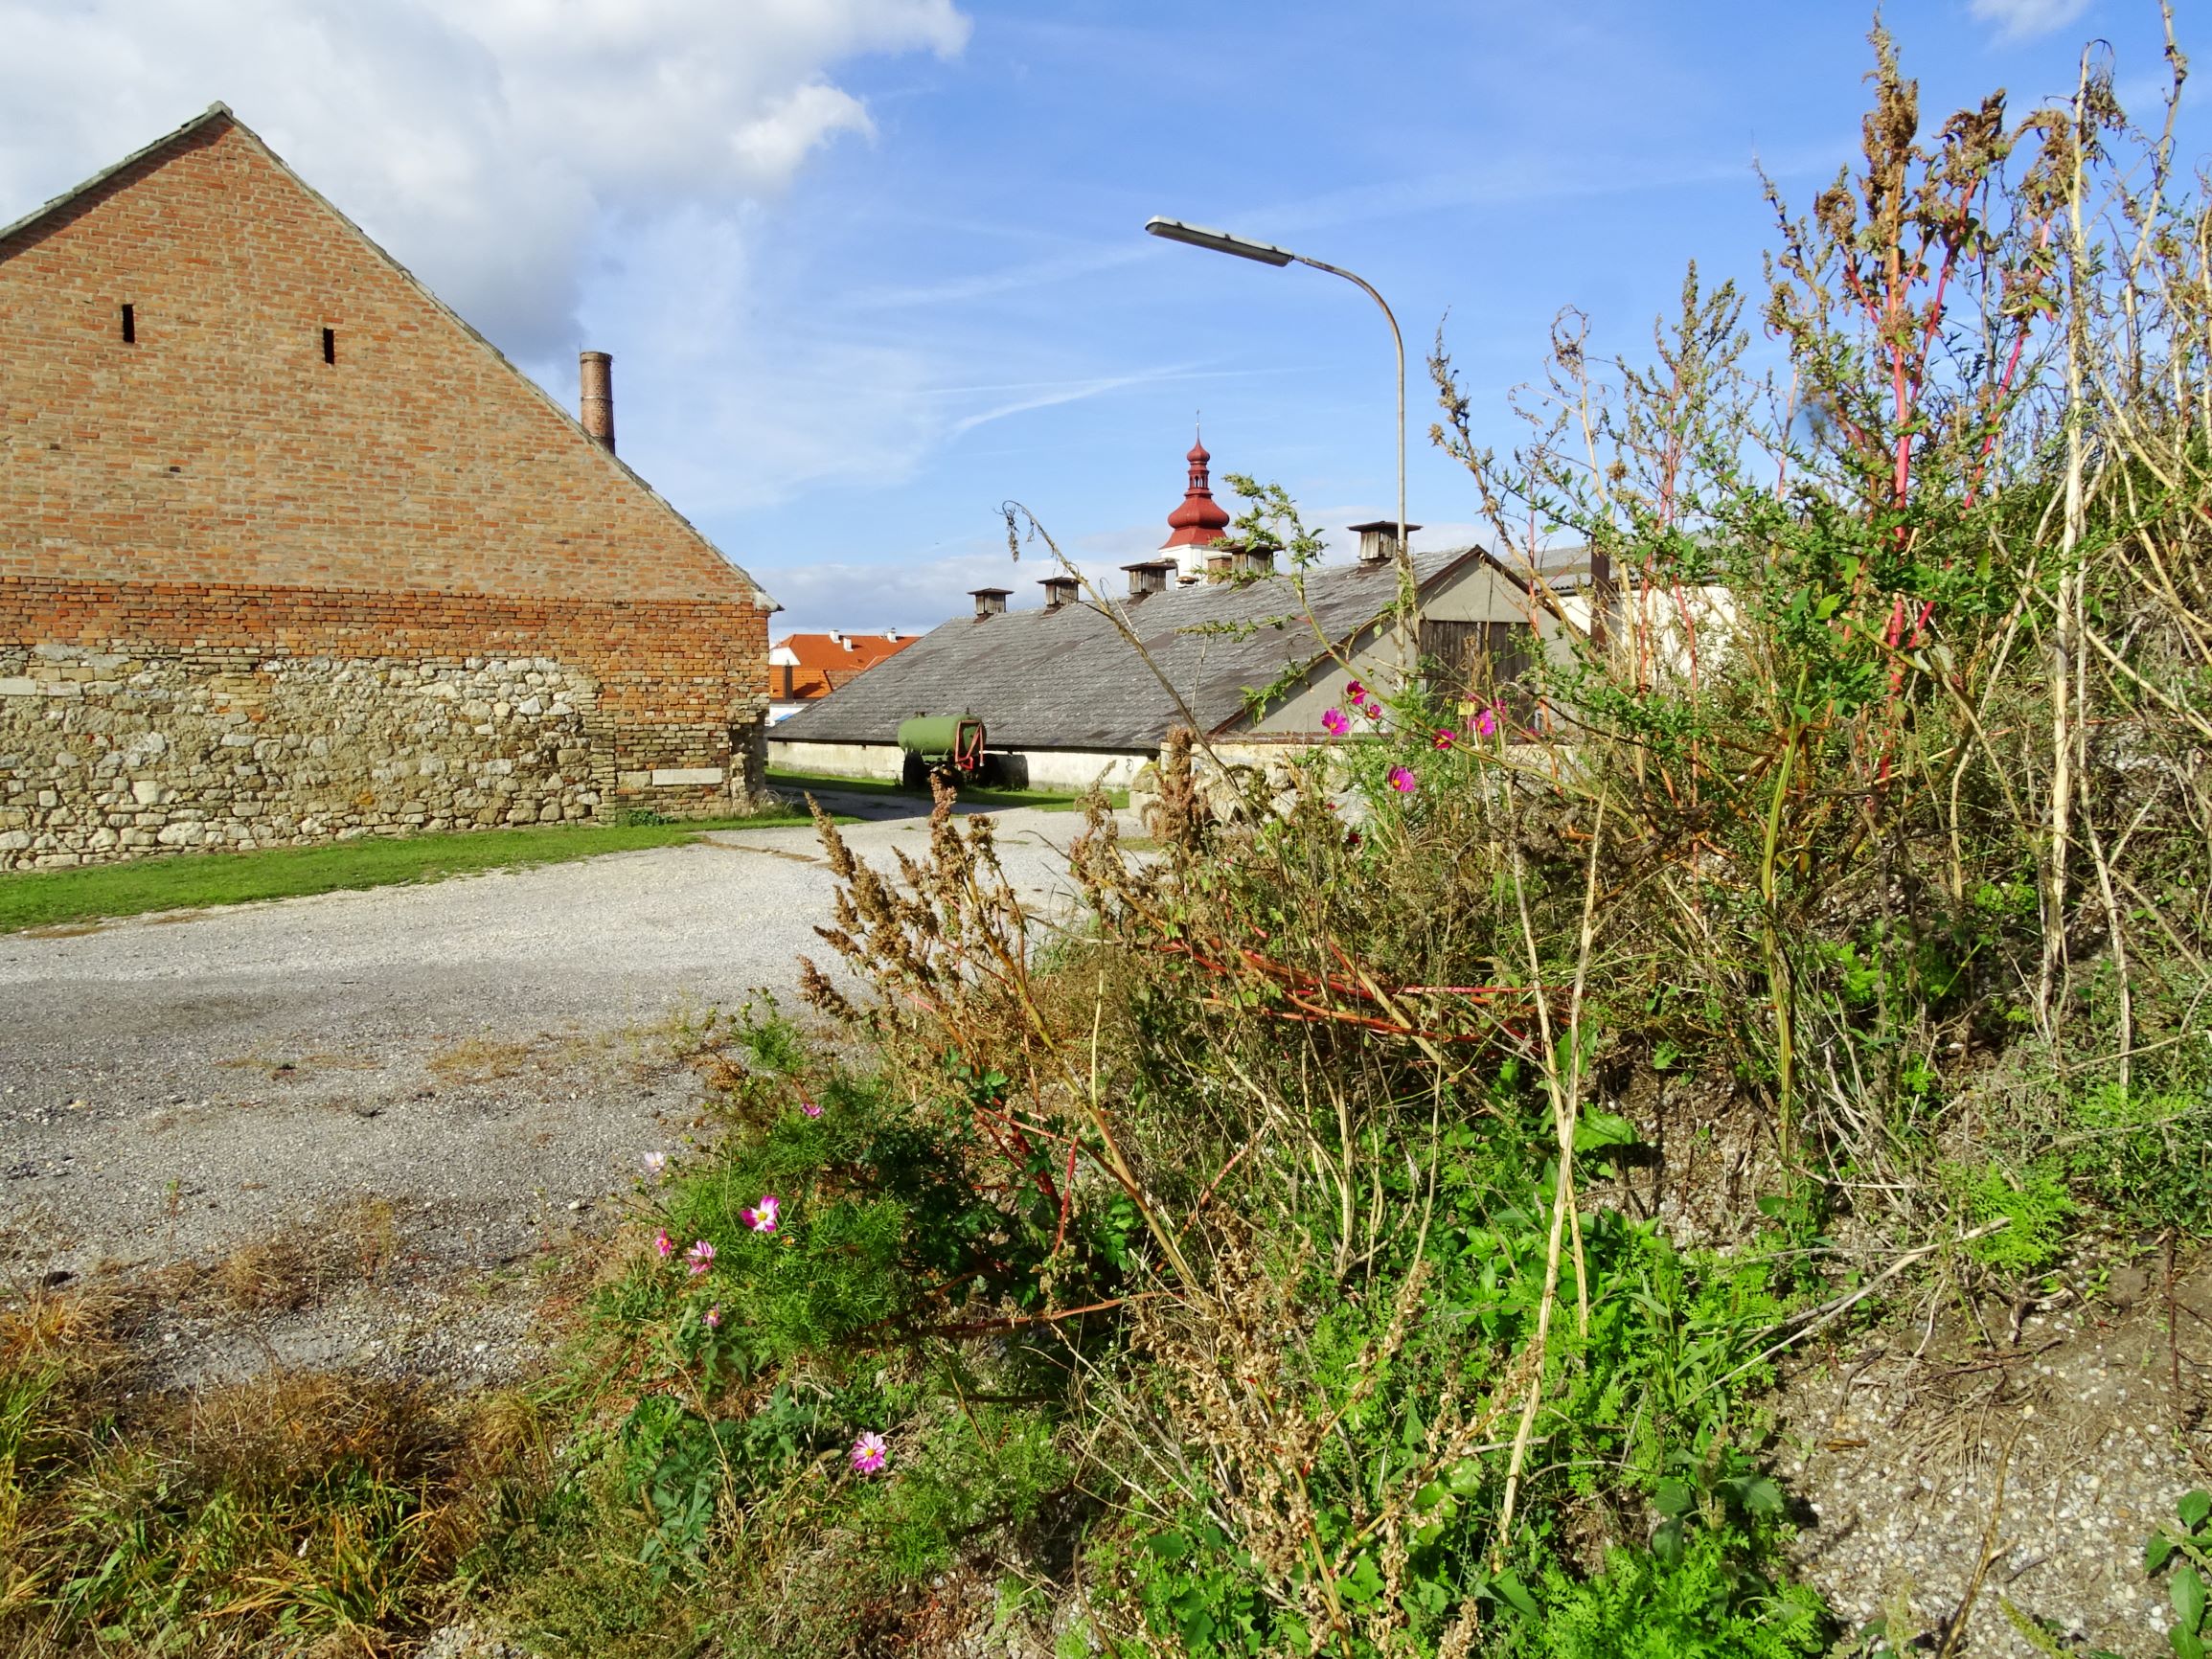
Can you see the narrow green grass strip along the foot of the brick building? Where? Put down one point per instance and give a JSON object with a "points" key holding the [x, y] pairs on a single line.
{"points": [[200, 881]]}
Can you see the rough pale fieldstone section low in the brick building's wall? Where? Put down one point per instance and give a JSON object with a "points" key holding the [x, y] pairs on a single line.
{"points": [[107, 755]]}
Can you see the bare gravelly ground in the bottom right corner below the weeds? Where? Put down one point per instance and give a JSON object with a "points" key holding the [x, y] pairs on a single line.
{"points": [[2094, 1421]]}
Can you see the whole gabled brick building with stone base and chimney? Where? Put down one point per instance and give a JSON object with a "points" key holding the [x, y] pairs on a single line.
{"points": [[289, 552]]}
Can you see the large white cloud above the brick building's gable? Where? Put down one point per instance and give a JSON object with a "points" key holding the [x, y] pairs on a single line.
{"points": [[483, 143]]}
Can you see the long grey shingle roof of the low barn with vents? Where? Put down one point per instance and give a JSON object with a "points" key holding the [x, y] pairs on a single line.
{"points": [[1067, 680]]}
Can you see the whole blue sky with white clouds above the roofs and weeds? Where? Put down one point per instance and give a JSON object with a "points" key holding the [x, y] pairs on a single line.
{"points": [[873, 267]]}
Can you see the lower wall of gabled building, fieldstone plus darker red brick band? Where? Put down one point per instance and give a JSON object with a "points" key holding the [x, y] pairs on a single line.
{"points": [[143, 720]]}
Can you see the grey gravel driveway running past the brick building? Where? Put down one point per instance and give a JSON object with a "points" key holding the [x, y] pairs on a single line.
{"points": [[486, 1058]]}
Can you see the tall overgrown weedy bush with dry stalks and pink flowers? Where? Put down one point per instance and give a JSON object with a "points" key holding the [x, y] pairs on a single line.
{"points": [[1373, 1229]]}
